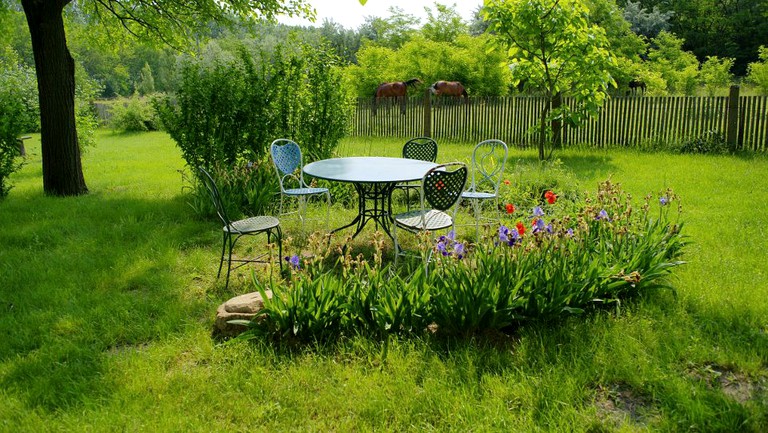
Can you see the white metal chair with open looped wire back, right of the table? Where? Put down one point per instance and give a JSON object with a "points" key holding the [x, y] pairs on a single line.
{"points": [[488, 160]]}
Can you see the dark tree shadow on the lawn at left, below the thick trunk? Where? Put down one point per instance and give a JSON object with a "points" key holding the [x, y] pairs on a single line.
{"points": [[85, 276]]}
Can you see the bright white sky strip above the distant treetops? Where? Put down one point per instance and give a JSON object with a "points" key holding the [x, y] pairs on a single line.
{"points": [[350, 14]]}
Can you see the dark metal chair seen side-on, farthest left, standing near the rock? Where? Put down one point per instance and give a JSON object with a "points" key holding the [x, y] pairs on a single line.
{"points": [[233, 230]]}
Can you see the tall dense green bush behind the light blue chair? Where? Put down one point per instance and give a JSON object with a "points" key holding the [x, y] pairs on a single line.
{"points": [[230, 108]]}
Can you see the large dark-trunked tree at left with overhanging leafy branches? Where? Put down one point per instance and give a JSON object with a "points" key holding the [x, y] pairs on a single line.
{"points": [[168, 20]]}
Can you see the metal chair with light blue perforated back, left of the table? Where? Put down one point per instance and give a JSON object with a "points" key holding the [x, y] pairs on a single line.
{"points": [[287, 158]]}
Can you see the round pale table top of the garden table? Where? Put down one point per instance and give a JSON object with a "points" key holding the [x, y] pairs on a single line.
{"points": [[369, 169]]}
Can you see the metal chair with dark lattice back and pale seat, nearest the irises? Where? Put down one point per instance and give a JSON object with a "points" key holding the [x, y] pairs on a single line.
{"points": [[440, 189]]}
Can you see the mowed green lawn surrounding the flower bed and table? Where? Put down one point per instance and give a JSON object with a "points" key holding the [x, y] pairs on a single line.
{"points": [[107, 304]]}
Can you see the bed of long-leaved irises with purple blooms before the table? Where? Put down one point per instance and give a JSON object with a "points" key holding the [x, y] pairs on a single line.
{"points": [[541, 268]]}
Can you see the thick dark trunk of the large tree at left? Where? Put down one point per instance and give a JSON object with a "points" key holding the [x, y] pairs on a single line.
{"points": [[55, 69]]}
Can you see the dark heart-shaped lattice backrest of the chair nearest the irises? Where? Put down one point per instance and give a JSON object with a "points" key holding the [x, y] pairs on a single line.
{"points": [[442, 186]]}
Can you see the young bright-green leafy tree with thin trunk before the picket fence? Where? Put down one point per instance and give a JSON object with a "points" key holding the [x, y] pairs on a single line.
{"points": [[552, 45]]}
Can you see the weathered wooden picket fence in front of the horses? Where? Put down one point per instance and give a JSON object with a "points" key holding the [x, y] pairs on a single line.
{"points": [[632, 121]]}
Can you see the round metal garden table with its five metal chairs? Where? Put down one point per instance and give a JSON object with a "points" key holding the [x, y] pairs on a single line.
{"points": [[441, 187]]}
